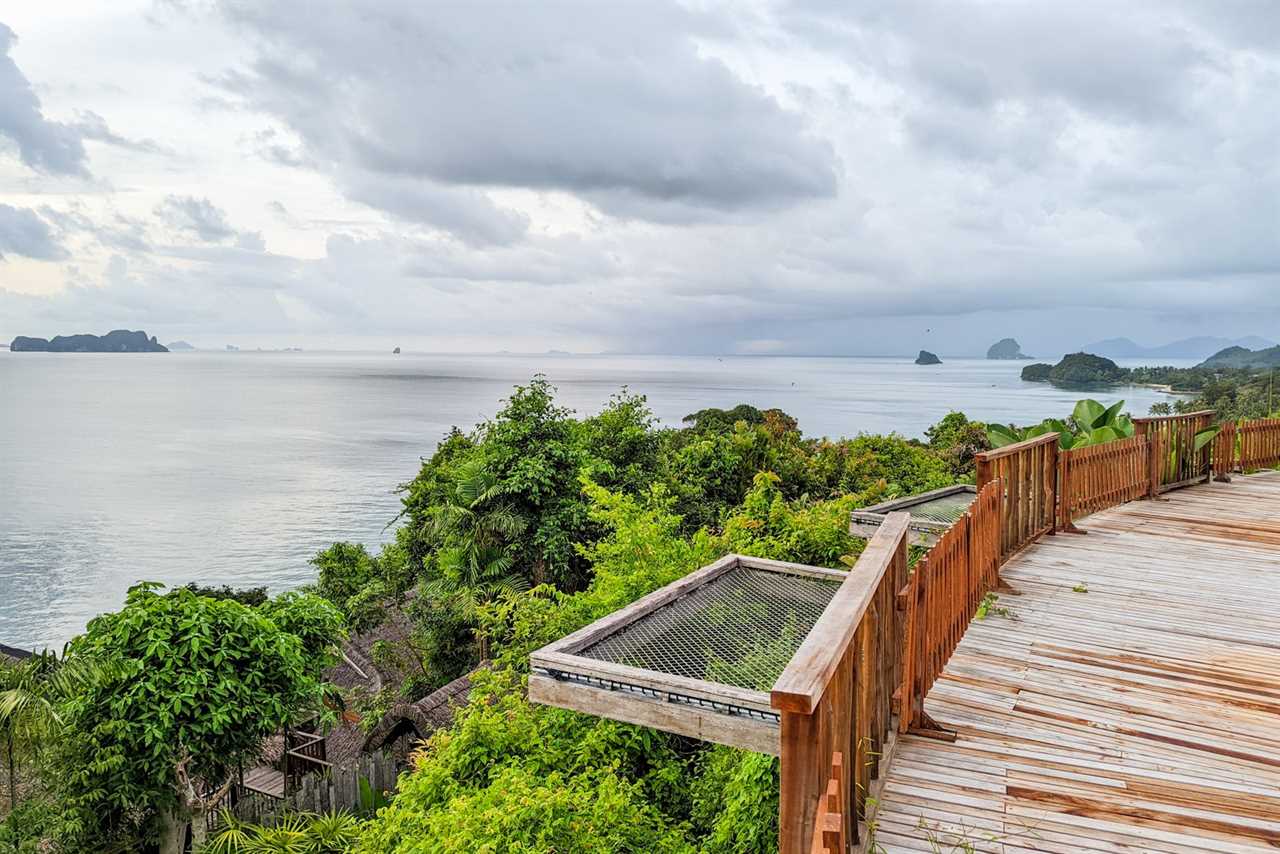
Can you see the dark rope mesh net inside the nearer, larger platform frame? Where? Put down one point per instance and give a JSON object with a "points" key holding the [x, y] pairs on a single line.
{"points": [[739, 629]]}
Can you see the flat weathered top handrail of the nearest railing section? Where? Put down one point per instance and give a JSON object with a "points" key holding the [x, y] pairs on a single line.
{"points": [[806, 679]]}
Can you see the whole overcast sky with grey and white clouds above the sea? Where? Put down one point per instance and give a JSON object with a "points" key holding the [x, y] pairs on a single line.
{"points": [[793, 177]]}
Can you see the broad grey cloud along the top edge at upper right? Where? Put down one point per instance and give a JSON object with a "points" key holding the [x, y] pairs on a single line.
{"points": [[1137, 62]]}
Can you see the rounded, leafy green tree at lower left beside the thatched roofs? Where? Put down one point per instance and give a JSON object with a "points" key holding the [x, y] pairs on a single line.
{"points": [[196, 686]]}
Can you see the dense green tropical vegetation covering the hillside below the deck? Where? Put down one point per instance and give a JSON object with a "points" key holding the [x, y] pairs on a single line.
{"points": [[513, 535]]}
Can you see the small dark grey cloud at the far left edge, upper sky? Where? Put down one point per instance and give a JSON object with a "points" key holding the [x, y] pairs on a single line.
{"points": [[45, 147]]}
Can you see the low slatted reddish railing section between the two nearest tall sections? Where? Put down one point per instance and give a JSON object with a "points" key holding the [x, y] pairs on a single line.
{"points": [[944, 593]]}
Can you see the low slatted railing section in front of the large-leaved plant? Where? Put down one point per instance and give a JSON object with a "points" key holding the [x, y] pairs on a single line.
{"points": [[1101, 476]]}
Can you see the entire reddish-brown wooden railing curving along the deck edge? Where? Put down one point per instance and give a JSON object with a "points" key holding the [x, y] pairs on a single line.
{"points": [[836, 698]]}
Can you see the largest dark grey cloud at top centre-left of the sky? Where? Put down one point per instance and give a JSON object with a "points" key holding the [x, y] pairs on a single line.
{"points": [[584, 98]]}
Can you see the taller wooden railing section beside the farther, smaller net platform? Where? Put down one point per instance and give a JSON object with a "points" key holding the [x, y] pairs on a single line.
{"points": [[1028, 472]]}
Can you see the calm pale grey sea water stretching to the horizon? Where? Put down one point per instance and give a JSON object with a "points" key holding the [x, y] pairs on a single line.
{"points": [[237, 468]]}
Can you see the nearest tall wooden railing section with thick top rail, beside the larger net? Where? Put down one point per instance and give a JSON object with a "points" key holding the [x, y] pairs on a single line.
{"points": [[836, 696]]}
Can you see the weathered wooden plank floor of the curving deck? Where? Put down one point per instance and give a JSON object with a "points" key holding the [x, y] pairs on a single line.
{"points": [[1142, 715]]}
